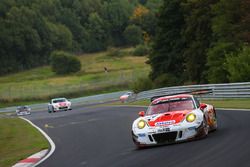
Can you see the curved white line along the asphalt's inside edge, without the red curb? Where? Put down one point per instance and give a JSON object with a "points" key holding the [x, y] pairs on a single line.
{"points": [[52, 144]]}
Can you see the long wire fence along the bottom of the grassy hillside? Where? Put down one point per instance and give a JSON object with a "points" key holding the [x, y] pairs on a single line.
{"points": [[77, 88]]}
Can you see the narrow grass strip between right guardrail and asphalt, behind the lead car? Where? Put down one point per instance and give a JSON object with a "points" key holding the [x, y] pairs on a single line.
{"points": [[223, 103]]}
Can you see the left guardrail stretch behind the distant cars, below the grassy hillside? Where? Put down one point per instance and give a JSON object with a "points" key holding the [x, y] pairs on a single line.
{"points": [[75, 102]]}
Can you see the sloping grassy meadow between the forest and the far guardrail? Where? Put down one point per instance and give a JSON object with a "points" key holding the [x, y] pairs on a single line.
{"points": [[41, 84]]}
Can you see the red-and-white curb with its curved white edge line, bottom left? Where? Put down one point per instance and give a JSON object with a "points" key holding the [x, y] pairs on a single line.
{"points": [[39, 157]]}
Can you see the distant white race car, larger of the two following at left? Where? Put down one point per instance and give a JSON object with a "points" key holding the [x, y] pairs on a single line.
{"points": [[59, 104]]}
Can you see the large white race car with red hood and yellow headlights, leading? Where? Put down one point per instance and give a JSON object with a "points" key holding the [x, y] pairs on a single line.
{"points": [[171, 119]]}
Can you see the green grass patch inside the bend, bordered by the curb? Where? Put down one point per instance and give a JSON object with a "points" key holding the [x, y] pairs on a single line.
{"points": [[18, 140]]}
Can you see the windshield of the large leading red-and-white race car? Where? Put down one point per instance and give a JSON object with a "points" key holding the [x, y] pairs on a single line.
{"points": [[169, 105]]}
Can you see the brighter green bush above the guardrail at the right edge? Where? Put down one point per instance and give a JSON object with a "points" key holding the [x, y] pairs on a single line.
{"points": [[238, 65]]}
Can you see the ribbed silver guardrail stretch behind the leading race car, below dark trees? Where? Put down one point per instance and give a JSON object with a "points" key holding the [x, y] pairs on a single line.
{"points": [[219, 91]]}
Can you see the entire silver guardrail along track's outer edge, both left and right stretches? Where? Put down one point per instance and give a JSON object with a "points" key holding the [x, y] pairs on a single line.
{"points": [[219, 91]]}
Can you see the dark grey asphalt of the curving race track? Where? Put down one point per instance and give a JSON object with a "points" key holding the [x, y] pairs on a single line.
{"points": [[100, 136]]}
